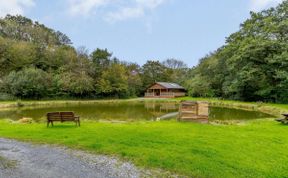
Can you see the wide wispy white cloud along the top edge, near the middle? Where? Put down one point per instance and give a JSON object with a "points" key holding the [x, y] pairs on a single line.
{"points": [[116, 10]]}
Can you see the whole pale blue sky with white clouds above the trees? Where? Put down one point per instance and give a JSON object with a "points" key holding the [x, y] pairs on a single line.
{"points": [[141, 30]]}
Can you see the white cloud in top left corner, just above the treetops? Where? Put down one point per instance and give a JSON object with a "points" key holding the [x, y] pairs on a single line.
{"points": [[14, 7]]}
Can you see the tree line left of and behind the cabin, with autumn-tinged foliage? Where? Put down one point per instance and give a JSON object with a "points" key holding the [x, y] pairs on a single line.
{"points": [[37, 62]]}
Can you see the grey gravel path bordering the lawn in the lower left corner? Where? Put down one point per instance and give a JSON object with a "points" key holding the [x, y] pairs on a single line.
{"points": [[25, 160]]}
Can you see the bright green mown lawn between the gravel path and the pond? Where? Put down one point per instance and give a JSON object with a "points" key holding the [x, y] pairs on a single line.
{"points": [[255, 149]]}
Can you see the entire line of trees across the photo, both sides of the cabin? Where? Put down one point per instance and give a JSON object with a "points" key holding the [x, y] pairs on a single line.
{"points": [[37, 62]]}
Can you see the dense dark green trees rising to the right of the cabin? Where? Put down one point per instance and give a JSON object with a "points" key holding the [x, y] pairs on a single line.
{"points": [[253, 64]]}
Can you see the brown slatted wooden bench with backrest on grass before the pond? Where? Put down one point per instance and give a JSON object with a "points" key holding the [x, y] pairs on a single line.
{"points": [[62, 117]]}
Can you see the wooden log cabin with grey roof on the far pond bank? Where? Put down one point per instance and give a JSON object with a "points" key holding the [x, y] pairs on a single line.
{"points": [[165, 90]]}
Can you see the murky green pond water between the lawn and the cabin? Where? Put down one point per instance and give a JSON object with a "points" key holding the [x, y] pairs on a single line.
{"points": [[125, 111]]}
